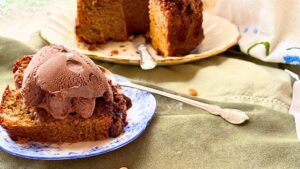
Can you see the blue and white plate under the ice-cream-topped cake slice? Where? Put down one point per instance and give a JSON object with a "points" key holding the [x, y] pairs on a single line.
{"points": [[139, 116]]}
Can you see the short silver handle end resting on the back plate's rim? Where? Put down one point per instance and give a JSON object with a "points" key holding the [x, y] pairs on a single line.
{"points": [[147, 61]]}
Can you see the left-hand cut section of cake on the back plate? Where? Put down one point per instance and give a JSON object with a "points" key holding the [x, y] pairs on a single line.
{"points": [[98, 21]]}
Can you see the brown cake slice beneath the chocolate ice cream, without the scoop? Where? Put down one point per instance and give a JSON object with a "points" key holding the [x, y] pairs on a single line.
{"points": [[31, 121]]}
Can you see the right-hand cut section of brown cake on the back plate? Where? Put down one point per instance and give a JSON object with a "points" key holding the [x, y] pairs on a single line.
{"points": [[175, 26]]}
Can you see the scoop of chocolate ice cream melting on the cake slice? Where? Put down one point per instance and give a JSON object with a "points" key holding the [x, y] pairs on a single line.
{"points": [[63, 81]]}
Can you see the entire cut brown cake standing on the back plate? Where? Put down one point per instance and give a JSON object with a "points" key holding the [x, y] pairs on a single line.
{"points": [[175, 25]]}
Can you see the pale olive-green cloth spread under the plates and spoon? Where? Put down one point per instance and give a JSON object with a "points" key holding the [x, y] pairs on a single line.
{"points": [[181, 136]]}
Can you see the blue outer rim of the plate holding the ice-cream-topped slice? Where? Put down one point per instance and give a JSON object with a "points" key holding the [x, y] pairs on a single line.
{"points": [[78, 156]]}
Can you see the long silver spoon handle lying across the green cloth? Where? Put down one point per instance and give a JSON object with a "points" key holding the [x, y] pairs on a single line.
{"points": [[233, 116]]}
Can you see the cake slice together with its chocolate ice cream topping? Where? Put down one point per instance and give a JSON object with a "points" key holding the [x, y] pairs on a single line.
{"points": [[62, 96]]}
